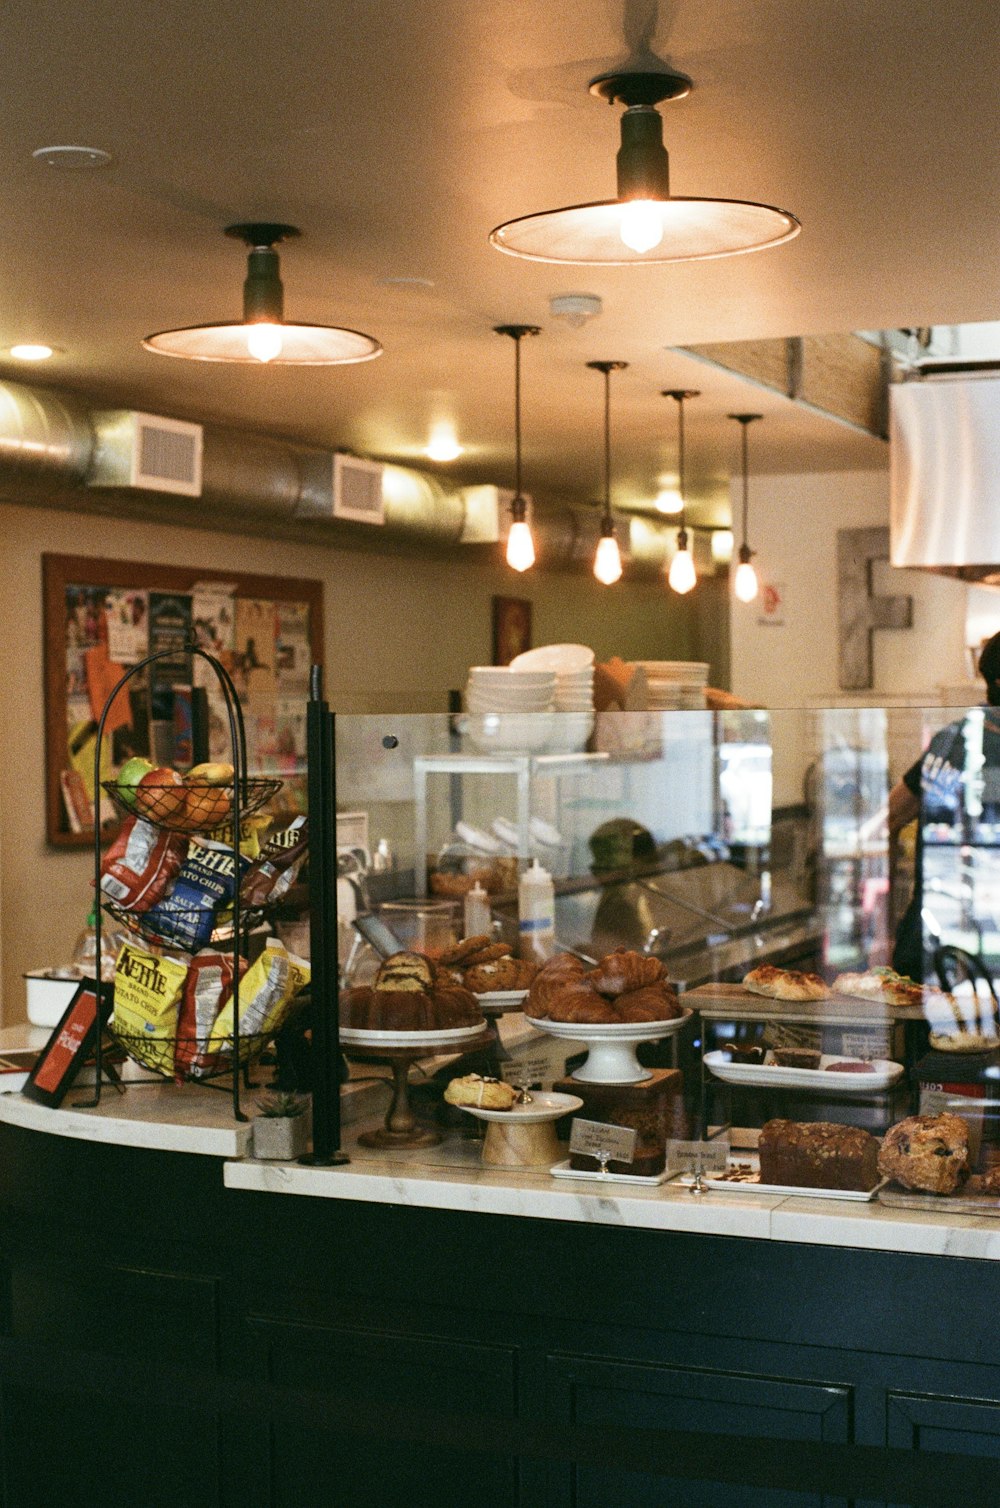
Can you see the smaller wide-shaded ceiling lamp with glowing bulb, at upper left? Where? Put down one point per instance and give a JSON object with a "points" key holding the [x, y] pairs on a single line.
{"points": [[263, 337]]}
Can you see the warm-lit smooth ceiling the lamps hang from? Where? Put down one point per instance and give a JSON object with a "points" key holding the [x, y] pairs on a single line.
{"points": [[397, 135]]}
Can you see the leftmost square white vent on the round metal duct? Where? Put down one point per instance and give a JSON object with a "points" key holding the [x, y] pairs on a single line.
{"points": [[147, 452]]}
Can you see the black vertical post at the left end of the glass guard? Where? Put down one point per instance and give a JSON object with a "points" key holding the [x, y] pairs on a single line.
{"points": [[324, 954]]}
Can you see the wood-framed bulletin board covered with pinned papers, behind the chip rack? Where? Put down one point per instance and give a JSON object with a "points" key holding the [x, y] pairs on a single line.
{"points": [[103, 616]]}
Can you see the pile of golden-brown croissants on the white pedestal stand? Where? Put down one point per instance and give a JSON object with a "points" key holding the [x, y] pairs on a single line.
{"points": [[625, 987]]}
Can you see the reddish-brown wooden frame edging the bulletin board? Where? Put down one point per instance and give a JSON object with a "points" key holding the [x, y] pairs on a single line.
{"points": [[61, 574]]}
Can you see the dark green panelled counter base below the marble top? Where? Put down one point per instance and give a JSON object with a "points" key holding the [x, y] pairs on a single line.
{"points": [[173, 1343]]}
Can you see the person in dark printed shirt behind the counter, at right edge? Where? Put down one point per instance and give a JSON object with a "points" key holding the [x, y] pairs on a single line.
{"points": [[954, 791]]}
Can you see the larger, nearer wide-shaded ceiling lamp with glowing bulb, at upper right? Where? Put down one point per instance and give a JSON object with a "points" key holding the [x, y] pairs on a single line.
{"points": [[646, 224]]}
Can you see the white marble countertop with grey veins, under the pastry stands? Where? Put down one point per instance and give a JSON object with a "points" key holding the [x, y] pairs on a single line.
{"points": [[452, 1177]]}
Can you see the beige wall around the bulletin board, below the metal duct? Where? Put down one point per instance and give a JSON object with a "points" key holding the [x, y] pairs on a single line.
{"points": [[400, 634]]}
